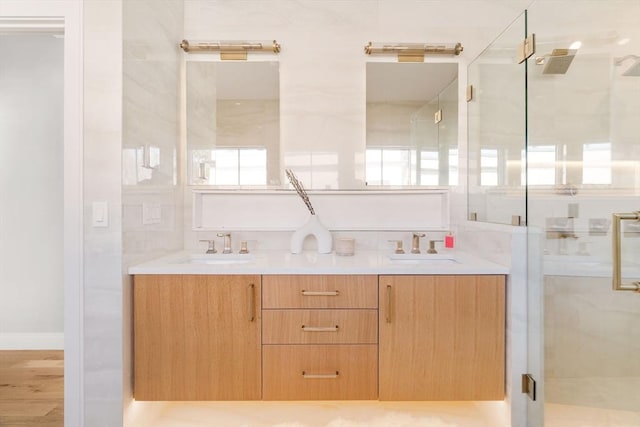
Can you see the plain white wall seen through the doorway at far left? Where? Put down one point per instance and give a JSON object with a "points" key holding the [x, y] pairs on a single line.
{"points": [[31, 192]]}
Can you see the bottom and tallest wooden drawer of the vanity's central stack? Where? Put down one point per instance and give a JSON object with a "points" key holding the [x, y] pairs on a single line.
{"points": [[320, 372]]}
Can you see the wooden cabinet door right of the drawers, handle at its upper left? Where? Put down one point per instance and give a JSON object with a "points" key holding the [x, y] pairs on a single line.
{"points": [[442, 337]]}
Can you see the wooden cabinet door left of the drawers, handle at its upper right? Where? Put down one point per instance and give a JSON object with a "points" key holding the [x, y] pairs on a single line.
{"points": [[197, 337]]}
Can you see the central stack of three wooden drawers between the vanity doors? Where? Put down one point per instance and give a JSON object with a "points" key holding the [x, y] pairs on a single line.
{"points": [[320, 337]]}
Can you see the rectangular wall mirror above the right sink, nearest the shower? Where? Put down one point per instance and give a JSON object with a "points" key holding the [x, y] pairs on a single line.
{"points": [[412, 124]]}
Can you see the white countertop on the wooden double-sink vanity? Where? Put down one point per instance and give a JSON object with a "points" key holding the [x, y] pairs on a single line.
{"points": [[282, 262]]}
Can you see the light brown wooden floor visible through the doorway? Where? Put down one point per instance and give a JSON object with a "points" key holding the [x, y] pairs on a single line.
{"points": [[31, 388]]}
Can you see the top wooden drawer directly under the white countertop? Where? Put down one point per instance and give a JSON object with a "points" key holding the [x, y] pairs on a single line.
{"points": [[319, 291]]}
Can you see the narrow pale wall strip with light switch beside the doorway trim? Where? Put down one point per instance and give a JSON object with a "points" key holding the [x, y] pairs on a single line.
{"points": [[102, 157]]}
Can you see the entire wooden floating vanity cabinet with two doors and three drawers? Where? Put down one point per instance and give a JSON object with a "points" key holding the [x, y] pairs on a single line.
{"points": [[319, 337]]}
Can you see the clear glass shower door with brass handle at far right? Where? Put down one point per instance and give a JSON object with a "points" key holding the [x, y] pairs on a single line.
{"points": [[583, 168]]}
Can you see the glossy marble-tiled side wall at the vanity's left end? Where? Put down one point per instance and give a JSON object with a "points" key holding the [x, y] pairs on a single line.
{"points": [[151, 58]]}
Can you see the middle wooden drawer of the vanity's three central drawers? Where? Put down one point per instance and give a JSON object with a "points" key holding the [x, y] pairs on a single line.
{"points": [[320, 326]]}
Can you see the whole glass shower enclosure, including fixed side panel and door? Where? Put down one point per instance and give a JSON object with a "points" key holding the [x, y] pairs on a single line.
{"points": [[554, 144]]}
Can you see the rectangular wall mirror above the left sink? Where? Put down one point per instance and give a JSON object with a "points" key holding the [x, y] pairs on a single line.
{"points": [[233, 123]]}
